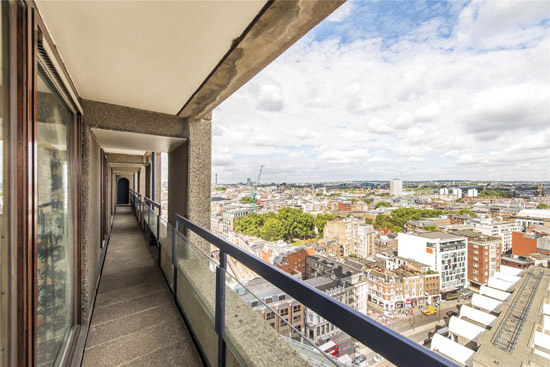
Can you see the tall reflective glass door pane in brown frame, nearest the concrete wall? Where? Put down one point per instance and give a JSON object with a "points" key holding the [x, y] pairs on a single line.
{"points": [[55, 265]]}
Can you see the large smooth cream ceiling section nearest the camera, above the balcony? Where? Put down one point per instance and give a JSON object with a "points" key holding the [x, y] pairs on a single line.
{"points": [[151, 55]]}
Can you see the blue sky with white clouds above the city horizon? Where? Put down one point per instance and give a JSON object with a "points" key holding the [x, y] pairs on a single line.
{"points": [[419, 90]]}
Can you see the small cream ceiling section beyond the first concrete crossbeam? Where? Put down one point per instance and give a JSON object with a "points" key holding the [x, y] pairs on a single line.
{"points": [[133, 143]]}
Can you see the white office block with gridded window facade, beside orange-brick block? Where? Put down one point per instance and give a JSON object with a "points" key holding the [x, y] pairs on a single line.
{"points": [[443, 252]]}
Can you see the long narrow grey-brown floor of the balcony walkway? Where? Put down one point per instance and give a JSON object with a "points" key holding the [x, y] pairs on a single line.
{"points": [[135, 320]]}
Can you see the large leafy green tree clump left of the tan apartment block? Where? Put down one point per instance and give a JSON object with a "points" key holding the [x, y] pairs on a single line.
{"points": [[287, 224]]}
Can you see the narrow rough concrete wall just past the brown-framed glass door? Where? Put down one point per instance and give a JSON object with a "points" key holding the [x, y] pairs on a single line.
{"points": [[91, 216]]}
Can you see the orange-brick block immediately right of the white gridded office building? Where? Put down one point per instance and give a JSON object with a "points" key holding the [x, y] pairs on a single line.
{"points": [[484, 256]]}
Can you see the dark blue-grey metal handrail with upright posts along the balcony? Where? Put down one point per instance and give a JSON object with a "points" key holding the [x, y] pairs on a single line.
{"points": [[393, 346]]}
